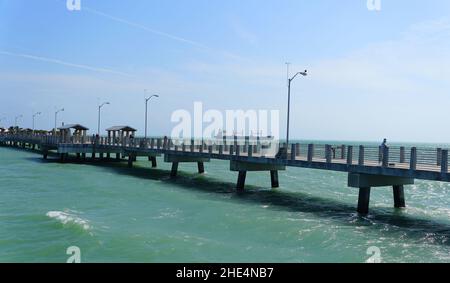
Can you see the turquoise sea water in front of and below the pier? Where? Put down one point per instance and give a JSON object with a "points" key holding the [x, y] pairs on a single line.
{"points": [[116, 214]]}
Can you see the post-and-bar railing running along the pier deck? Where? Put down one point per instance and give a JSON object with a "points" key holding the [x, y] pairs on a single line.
{"points": [[412, 158]]}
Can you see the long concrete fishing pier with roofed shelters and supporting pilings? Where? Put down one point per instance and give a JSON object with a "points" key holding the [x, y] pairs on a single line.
{"points": [[367, 167]]}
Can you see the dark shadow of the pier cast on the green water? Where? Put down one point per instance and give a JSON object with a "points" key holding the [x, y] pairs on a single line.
{"points": [[279, 200]]}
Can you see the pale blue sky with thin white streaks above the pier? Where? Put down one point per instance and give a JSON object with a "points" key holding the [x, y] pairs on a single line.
{"points": [[372, 73]]}
